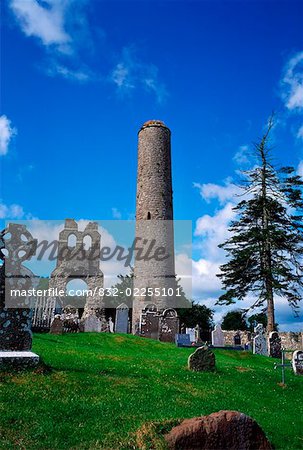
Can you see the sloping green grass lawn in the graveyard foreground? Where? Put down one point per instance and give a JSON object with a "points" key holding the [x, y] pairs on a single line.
{"points": [[103, 387]]}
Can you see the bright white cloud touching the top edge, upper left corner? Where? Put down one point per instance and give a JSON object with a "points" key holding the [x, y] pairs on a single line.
{"points": [[44, 21]]}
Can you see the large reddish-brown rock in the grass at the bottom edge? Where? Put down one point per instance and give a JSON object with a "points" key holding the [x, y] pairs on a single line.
{"points": [[230, 430]]}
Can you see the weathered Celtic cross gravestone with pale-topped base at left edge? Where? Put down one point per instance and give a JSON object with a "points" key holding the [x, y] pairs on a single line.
{"points": [[15, 311]]}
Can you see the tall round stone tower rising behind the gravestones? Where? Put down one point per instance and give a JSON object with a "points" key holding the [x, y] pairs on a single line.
{"points": [[154, 219]]}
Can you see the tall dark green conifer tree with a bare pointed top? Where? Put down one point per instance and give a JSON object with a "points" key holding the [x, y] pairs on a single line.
{"points": [[266, 244]]}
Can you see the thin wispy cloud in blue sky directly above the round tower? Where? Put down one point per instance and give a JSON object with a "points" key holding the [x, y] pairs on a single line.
{"points": [[131, 73]]}
